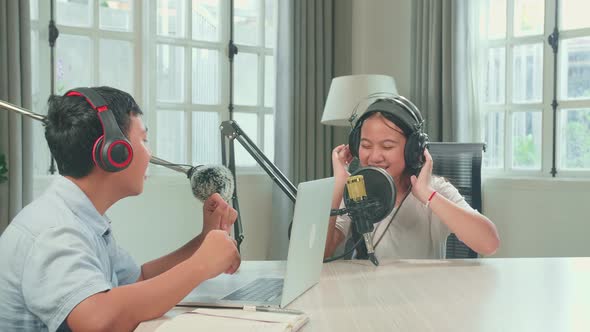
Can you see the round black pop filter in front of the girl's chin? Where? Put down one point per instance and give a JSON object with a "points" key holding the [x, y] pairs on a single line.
{"points": [[381, 193]]}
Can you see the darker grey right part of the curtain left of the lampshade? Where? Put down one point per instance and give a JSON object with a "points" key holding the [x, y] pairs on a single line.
{"points": [[313, 72]]}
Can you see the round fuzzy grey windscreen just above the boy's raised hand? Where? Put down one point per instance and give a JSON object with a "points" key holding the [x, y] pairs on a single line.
{"points": [[207, 180]]}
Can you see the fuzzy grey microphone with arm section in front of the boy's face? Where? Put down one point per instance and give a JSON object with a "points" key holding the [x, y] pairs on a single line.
{"points": [[205, 180]]}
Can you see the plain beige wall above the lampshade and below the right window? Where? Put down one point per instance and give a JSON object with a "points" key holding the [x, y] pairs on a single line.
{"points": [[535, 217]]}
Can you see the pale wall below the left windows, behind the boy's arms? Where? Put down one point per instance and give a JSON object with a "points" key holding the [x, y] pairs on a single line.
{"points": [[166, 215]]}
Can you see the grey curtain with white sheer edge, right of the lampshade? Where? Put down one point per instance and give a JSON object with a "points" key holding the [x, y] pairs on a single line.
{"points": [[445, 68]]}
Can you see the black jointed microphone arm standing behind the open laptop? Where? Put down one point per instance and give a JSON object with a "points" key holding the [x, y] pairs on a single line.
{"points": [[231, 131]]}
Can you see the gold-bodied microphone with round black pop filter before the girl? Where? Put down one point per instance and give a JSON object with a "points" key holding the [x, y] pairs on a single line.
{"points": [[369, 197]]}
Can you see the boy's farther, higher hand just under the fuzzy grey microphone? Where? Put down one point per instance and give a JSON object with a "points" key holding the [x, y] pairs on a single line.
{"points": [[217, 214]]}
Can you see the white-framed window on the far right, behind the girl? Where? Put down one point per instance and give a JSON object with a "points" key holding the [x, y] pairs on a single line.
{"points": [[519, 84]]}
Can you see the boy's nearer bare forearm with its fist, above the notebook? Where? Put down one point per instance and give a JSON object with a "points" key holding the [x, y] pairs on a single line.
{"points": [[123, 308]]}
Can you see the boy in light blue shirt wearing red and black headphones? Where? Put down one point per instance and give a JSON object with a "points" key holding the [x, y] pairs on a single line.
{"points": [[60, 267]]}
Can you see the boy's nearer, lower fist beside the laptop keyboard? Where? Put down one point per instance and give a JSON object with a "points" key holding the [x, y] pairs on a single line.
{"points": [[217, 254]]}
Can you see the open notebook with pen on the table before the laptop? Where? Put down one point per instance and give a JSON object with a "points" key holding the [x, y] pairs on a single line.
{"points": [[233, 320]]}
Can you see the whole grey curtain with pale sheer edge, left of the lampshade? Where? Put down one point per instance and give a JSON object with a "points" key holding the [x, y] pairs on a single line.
{"points": [[304, 72]]}
